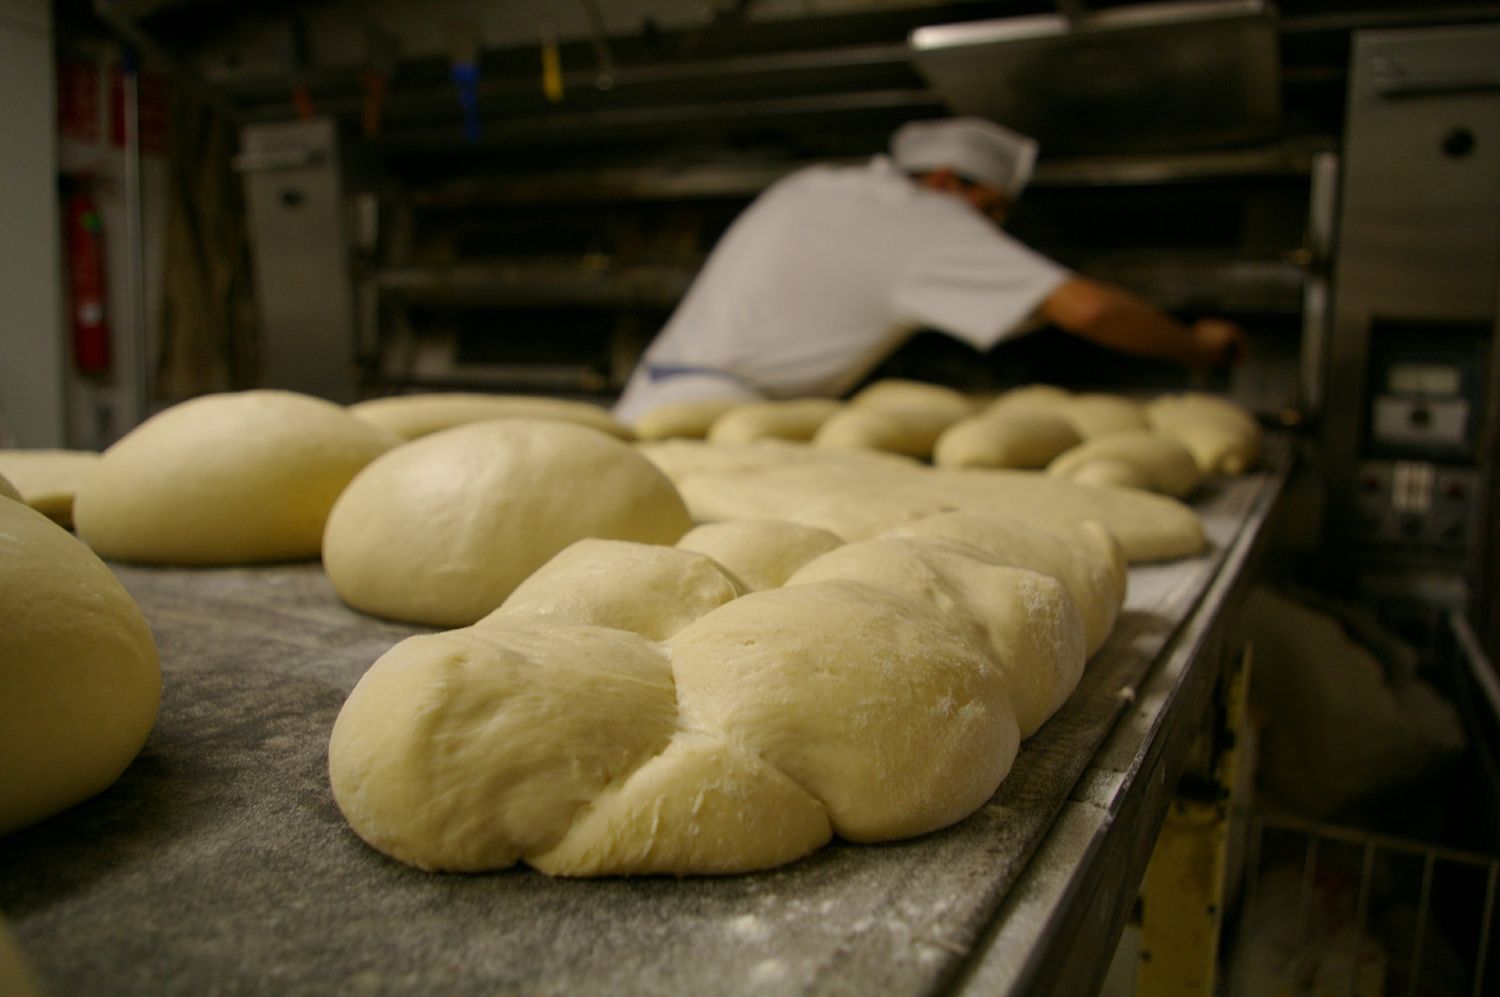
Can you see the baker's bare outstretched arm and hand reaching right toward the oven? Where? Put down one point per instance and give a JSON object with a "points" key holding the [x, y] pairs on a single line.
{"points": [[1123, 322]]}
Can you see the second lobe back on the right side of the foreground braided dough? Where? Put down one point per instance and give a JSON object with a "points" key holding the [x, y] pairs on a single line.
{"points": [[1027, 623]]}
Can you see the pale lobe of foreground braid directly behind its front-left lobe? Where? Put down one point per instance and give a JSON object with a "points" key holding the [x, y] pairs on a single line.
{"points": [[649, 590]]}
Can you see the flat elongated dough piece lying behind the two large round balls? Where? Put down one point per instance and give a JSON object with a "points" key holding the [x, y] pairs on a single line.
{"points": [[415, 416]]}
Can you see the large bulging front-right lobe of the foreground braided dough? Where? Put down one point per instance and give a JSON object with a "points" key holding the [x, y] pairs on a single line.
{"points": [[868, 699]]}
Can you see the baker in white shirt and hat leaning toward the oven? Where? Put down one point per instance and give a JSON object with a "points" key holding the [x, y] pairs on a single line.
{"points": [[835, 268]]}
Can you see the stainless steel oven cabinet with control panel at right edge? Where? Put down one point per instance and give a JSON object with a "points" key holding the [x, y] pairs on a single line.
{"points": [[1409, 427]]}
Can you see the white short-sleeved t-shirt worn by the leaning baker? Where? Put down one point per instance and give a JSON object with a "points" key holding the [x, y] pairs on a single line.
{"points": [[824, 277]]}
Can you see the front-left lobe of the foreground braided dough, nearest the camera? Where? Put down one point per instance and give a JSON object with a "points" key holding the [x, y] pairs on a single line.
{"points": [[472, 749]]}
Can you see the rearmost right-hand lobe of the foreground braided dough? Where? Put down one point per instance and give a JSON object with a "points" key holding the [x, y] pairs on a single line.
{"points": [[1085, 558]]}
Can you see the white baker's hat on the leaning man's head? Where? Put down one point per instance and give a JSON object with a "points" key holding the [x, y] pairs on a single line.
{"points": [[974, 149]]}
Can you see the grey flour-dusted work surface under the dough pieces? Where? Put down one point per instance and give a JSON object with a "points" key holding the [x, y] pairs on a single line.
{"points": [[220, 861]]}
